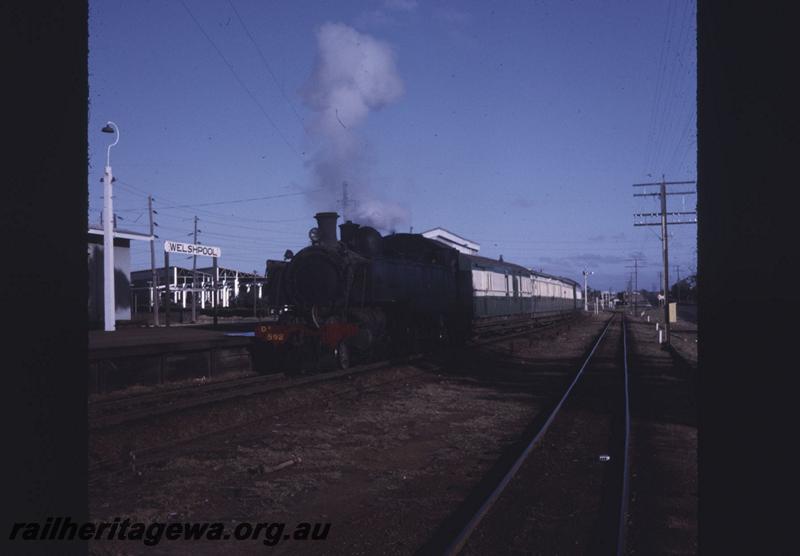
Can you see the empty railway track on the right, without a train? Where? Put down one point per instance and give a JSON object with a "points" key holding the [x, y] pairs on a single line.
{"points": [[608, 533]]}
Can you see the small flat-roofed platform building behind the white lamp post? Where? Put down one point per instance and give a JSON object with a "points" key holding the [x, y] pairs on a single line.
{"points": [[122, 273]]}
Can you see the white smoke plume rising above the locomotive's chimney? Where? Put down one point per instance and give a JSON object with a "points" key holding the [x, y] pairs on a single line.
{"points": [[354, 75]]}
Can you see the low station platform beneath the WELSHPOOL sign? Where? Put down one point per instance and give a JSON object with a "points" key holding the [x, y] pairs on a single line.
{"points": [[155, 355]]}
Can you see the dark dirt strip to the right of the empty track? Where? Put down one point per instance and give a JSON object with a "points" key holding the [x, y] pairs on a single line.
{"points": [[664, 482]]}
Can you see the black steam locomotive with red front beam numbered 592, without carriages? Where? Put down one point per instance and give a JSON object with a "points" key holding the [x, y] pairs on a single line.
{"points": [[357, 294]]}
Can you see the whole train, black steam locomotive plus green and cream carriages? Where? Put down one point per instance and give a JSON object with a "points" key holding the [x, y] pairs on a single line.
{"points": [[363, 294]]}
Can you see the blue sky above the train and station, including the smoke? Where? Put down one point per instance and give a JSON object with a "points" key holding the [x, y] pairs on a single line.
{"points": [[520, 125]]}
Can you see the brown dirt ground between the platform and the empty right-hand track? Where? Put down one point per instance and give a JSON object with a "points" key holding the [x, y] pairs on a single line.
{"points": [[383, 457]]}
